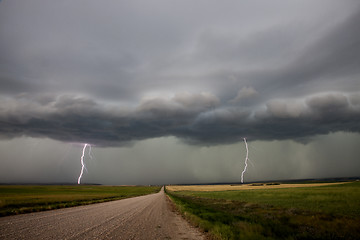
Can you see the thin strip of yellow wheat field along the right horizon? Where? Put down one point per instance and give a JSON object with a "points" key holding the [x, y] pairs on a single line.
{"points": [[208, 188]]}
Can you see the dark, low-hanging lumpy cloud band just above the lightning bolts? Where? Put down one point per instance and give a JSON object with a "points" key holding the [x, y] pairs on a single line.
{"points": [[195, 118]]}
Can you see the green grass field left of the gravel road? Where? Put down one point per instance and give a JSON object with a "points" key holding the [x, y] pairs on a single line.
{"points": [[16, 199]]}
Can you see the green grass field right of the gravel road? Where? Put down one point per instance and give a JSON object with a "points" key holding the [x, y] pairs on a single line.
{"points": [[317, 212]]}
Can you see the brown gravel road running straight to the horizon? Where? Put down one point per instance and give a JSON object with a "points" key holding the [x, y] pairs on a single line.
{"points": [[146, 217]]}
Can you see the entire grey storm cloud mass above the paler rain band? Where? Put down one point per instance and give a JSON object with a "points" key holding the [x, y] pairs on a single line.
{"points": [[112, 73]]}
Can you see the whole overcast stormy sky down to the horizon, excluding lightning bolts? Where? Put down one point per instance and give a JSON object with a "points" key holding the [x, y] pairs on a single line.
{"points": [[165, 91]]}
